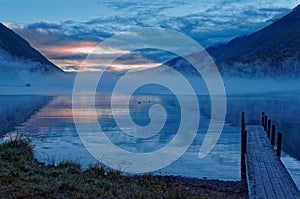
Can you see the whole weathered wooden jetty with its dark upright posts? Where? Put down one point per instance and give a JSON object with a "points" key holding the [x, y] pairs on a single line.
{"points": [[261, 166]]}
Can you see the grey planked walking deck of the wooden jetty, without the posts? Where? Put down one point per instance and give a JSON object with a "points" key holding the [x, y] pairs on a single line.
{"points": [[267, 177]]}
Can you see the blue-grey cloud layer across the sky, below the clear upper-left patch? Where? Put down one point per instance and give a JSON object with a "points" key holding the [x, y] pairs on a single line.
{"points": [[209, 23]]}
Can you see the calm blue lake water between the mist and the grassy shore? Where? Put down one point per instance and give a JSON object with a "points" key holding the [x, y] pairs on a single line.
{"points": [[55, 138]]}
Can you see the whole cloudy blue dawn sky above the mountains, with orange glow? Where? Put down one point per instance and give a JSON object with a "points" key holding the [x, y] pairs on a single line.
{"points": [[66, 31]]}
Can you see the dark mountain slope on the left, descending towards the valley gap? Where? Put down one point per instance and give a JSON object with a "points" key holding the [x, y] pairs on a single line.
{"points": [[15, 50]]}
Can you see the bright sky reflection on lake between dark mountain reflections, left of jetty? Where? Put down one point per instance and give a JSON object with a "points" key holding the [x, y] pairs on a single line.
{"points": [[55, 137]]}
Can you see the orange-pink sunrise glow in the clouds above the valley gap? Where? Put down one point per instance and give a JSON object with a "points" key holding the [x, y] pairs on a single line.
{"points": [[98, 62]]}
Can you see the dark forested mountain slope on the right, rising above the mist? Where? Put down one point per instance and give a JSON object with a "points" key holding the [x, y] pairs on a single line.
{"points": [[274, 49]]}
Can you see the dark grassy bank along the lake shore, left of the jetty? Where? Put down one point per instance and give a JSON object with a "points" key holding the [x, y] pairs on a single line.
{"points": [[22, 176]]}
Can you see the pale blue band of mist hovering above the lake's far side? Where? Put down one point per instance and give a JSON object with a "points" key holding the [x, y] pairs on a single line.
{"points": [[63, 84]]}
